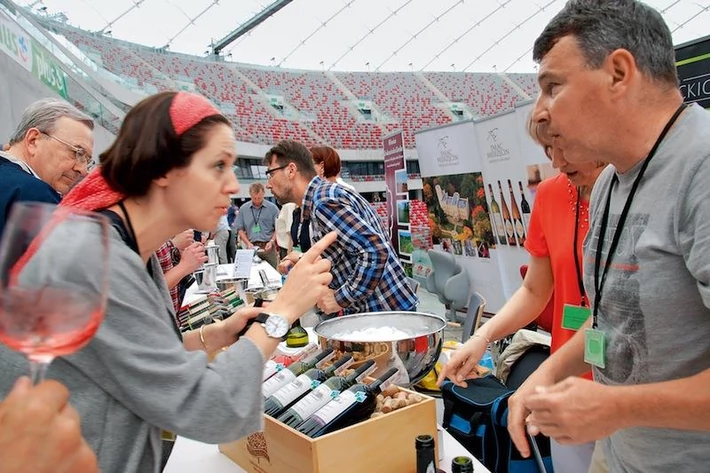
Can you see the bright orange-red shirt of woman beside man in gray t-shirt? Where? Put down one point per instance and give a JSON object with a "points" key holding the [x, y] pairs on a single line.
{"points": [[551, 234]]}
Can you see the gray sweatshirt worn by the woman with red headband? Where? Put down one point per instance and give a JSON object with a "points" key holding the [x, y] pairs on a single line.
{"points": [[135, 377]]}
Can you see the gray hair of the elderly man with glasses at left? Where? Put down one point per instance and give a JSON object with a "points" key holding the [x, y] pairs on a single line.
{"points": [[43, 115]]}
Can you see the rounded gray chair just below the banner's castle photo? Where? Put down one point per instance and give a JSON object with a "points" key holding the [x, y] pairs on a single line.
{"points": [[449, 281]]}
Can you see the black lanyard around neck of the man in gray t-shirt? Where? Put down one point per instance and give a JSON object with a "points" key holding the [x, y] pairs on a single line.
{"points": [[599, 282]]}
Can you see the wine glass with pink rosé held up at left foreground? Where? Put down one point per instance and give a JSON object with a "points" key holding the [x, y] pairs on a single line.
{"points": [[50, 305]]}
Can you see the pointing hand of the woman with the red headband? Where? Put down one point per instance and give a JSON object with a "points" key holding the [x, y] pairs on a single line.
{"points": [[307, 282]]}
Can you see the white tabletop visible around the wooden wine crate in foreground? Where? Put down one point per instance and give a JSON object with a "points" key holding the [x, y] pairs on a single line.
{"points": [[189, 456]]}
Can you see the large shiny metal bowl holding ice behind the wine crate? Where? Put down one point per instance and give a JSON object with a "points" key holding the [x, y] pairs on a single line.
{"points": [[415, 354]]}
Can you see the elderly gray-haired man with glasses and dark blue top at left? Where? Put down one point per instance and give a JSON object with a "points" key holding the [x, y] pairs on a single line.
{"points": [[49, 150]]}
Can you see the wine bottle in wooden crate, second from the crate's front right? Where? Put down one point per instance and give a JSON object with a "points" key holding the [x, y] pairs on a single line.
{"points": [[321, 395]]}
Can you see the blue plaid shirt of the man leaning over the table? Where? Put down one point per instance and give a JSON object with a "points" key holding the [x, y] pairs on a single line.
{"points": [[367, 274]]}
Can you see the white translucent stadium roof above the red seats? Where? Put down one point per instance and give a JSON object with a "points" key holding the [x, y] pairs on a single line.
{"points": [[374, 35]]}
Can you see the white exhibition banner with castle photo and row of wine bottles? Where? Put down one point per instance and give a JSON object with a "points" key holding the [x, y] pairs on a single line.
{"points": [[479, 180]]}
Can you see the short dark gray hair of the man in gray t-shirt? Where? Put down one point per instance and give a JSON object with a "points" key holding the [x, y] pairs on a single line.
{"points": [[602, 26]]}
